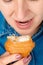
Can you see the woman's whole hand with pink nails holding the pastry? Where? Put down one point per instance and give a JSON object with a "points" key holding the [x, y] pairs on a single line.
{"points": [[6, 58]]}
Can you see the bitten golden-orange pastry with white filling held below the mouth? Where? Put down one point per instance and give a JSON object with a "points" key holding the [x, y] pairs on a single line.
{"points": [[19, 45]]}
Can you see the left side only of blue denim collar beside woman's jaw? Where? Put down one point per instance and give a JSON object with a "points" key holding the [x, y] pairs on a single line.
{"points": [[5, 28]]}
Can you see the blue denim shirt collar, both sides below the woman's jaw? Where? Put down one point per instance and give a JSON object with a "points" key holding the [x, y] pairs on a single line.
{"points": [[5, 28]]}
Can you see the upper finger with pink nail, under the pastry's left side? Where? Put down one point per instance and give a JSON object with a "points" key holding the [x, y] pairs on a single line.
{"points": [[10, 58]]}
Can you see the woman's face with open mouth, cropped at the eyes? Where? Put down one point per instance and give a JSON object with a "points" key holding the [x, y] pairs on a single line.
{"points": [[24, 16]]}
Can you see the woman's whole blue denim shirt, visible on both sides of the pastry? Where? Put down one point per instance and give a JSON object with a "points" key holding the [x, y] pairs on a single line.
{"points": [[37, 53]]}
